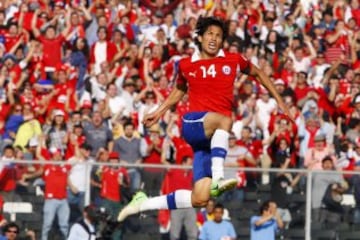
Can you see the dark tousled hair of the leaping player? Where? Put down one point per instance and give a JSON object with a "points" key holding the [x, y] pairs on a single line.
{"points": [[204, 23]]}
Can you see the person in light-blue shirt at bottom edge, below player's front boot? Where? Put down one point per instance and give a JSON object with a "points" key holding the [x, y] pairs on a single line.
{"points": [[217, 228]]}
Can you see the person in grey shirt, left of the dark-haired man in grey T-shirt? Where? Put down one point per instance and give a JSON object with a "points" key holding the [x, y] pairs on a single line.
{"points": [[97, 134]]}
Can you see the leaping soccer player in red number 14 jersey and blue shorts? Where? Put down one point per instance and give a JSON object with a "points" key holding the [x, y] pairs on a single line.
{"points": [[208, 76]]}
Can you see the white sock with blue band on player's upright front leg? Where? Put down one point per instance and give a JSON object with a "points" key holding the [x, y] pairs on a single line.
{"points": [[219, 148]]}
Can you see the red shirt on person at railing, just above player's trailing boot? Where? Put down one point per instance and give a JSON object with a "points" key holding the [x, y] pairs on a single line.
{"points": [[110, 186]]}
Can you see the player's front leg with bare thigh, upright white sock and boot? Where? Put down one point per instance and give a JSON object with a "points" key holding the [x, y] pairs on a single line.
{"points": [[217, 127]]}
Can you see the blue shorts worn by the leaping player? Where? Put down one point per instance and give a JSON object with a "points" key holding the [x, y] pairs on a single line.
{"points": [[194, 134]]}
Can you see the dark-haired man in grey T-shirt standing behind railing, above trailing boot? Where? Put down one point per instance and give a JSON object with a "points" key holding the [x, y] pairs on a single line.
{"points": [[128, 147]]}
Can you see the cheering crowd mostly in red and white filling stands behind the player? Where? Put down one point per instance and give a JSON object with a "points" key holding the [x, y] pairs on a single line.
{"points": [[77, 77]]}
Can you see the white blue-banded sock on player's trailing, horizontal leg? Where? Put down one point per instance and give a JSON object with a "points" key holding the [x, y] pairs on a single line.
{"points": [[177, 199]]}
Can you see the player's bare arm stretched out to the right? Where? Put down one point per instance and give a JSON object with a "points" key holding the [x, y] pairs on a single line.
{"points": [[266, 82]]}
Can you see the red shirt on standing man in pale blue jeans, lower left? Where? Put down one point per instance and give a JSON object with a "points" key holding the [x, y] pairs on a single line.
{"points": [[55, 177]]}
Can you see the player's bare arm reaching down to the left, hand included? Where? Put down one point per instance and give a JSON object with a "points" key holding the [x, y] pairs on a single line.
{"points": [[175, 96]]}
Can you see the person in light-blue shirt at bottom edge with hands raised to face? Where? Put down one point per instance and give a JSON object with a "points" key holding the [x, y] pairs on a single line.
{"points": [[265, 226]]}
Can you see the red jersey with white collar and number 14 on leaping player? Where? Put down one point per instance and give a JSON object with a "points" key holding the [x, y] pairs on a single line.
{"points": [[211, 81]]}
